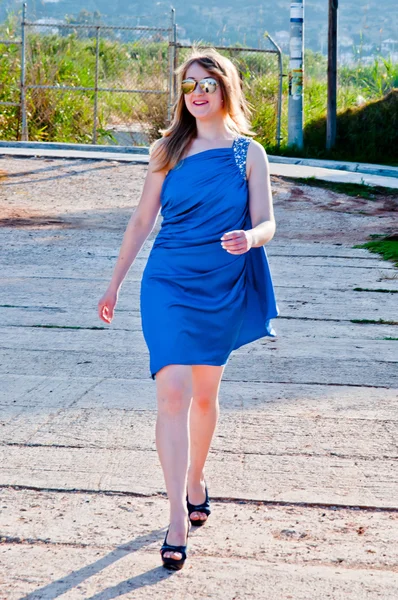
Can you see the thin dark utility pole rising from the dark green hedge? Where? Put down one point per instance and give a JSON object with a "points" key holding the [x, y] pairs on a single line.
{"points": [[331, 127]]}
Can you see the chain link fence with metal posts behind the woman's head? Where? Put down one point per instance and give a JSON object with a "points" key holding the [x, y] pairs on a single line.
{"points": [[96, 83]]}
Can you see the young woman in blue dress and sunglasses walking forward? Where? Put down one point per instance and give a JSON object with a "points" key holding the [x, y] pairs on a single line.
{"points": [[206, 288]]}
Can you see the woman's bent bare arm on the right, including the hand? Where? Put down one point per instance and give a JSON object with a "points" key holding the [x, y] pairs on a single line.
{"points": [[260, 205]]}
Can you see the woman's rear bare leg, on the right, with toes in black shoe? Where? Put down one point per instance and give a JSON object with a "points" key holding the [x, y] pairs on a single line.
{"points": [[202, 424]]}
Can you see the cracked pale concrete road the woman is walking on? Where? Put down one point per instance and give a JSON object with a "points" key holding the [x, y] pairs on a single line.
{"points": [[302, 473]]}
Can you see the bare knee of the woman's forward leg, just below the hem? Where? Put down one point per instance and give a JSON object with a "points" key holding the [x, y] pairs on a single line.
{"points": [[174, 389]]}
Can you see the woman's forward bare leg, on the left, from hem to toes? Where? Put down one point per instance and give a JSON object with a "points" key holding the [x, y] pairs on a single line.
{"points": [[174, 393]]}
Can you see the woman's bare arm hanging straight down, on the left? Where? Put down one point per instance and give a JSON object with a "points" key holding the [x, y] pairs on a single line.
{"points": [[138, 229]]}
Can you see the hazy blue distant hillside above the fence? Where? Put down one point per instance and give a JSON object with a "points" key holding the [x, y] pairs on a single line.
{"points": [[231, 21]]}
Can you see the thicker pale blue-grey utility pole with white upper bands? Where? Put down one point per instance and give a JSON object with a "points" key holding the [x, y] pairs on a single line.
{"points": [[296, 70]]}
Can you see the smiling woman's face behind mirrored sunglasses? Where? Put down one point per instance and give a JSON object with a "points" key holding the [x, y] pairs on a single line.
{"points": [[202, 105]]}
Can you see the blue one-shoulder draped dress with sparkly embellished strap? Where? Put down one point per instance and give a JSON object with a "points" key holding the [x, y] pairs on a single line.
{"points": [[198, 301]]}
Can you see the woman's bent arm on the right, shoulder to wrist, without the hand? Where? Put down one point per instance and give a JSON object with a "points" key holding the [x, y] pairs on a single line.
{"points": [[260, 195]]}
